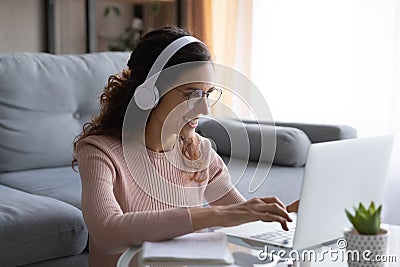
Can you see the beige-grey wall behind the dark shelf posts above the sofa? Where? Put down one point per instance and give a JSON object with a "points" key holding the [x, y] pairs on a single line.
{"points": [[23, 24]]}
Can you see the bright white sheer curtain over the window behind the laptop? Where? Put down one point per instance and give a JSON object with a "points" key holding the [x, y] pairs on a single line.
{"points": [[332, 62]]}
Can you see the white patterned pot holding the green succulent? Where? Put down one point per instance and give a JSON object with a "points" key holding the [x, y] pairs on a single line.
{"points": [[368, 247]]}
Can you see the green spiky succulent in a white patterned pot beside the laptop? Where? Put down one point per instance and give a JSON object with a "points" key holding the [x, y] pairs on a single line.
{"points": [[367, 237]]}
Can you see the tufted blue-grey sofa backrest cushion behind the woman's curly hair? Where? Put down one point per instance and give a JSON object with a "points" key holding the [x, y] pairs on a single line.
{"points": [[44, 101]]}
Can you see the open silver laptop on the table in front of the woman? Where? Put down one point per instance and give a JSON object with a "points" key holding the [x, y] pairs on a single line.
{"points": [[338, 175]]}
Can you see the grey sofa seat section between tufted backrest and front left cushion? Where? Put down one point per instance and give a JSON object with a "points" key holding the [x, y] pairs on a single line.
{"points": [[61, 183]]}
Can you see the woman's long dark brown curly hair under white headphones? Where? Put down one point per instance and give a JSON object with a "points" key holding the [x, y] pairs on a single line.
{"points": [[120, 88]]}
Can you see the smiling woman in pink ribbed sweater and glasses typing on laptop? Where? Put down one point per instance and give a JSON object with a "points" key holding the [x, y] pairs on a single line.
{"points": [[119, 210]]}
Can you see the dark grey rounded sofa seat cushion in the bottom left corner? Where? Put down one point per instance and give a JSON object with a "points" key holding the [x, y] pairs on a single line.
{"points": [[36, 228]]}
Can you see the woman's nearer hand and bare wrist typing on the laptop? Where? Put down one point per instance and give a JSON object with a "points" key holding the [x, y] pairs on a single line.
{"points": [[267, 209]]}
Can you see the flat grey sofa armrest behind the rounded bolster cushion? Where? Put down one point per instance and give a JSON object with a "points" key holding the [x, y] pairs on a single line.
{"points": [[318, 133]]}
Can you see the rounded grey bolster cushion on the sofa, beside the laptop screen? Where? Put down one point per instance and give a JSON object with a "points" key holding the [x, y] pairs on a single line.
{"points": [[291, 143]]}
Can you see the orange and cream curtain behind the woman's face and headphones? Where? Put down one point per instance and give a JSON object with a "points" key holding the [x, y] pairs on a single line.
{"points": [[224, 26]]}
